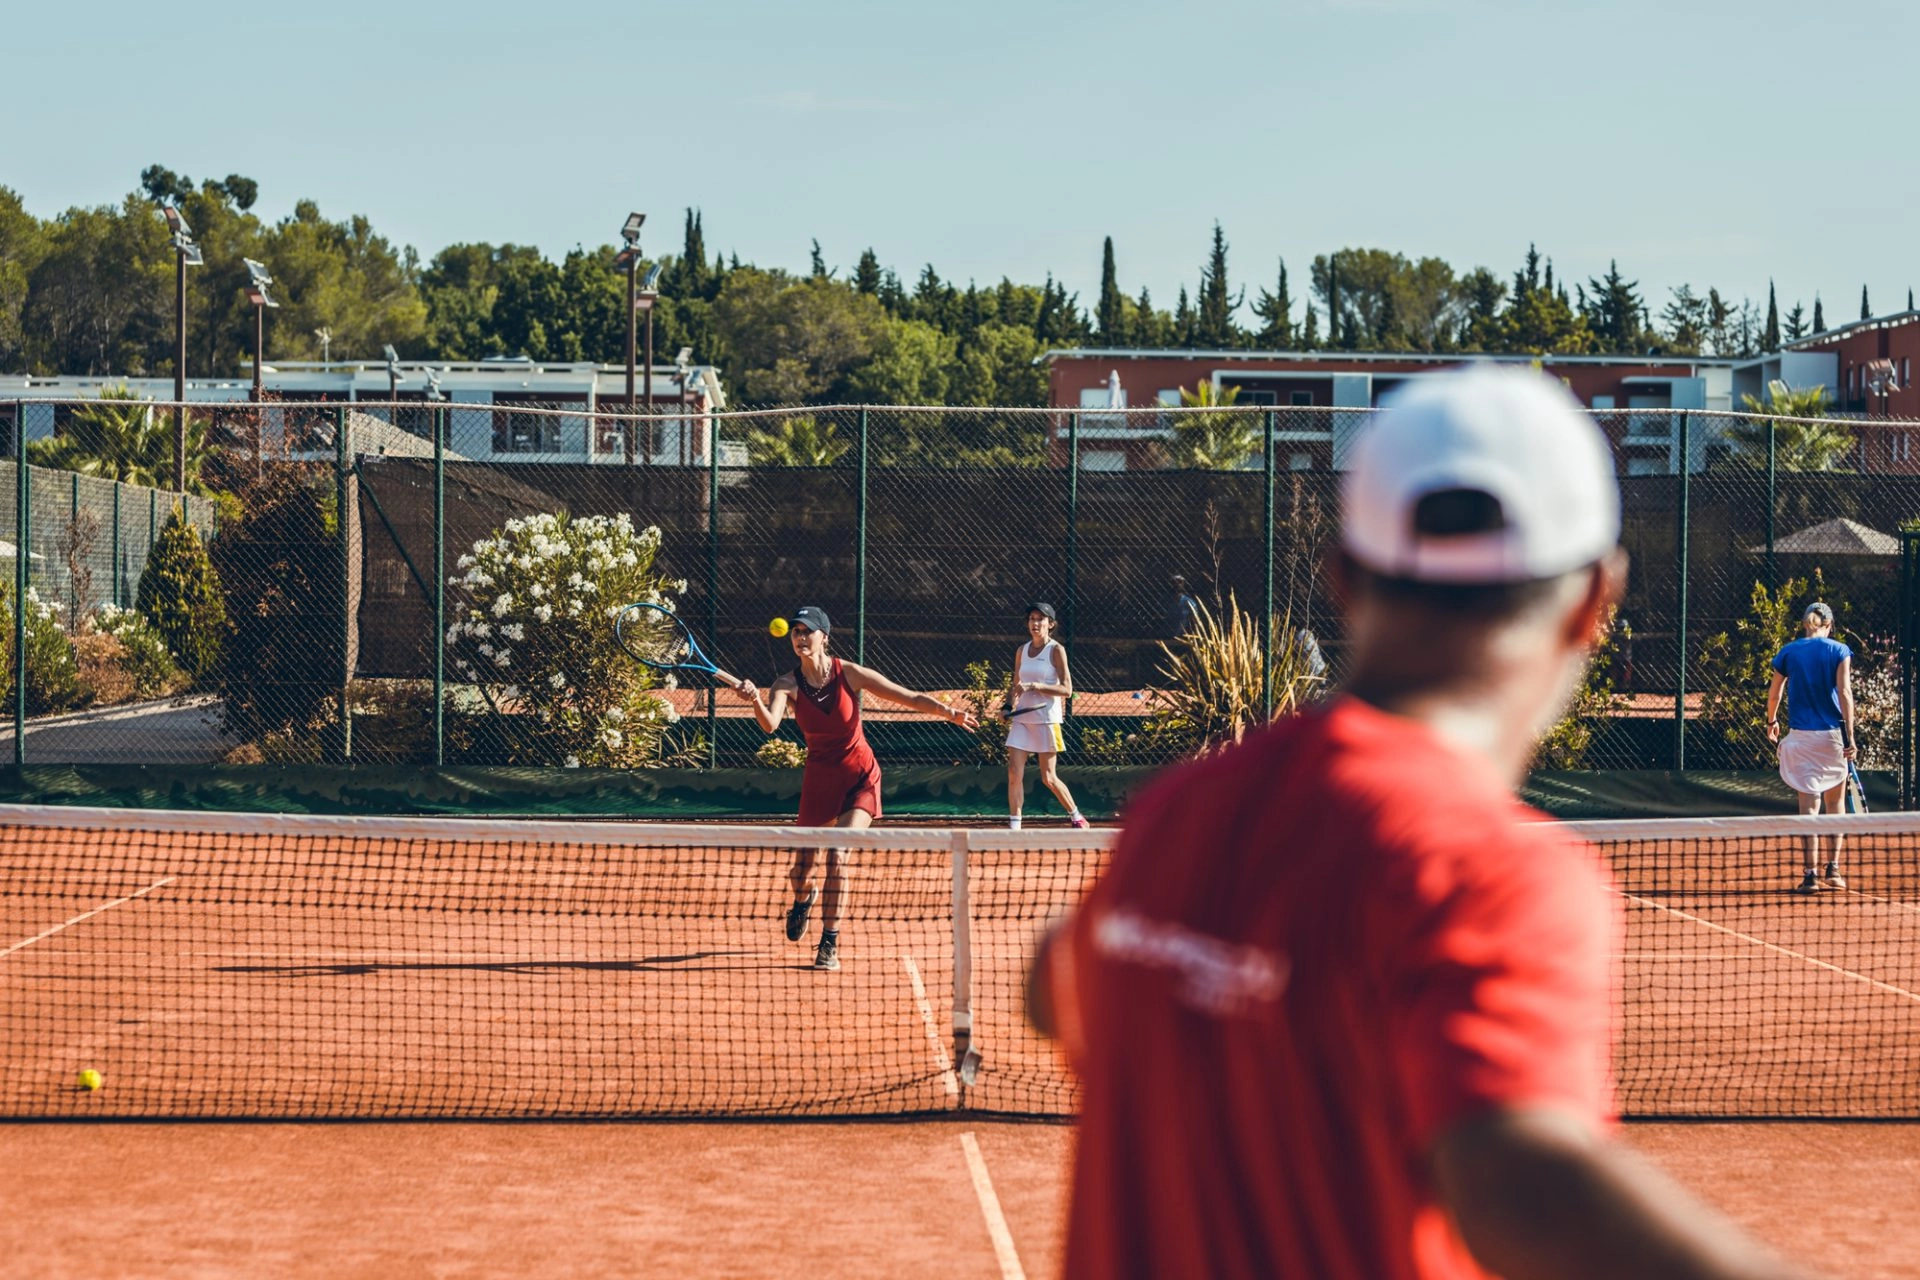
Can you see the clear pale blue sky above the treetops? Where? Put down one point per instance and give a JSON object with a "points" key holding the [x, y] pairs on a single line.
{"points": [[1698, 141]]}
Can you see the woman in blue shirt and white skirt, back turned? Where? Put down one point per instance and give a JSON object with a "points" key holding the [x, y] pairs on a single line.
{"points": [[1817, 676]]}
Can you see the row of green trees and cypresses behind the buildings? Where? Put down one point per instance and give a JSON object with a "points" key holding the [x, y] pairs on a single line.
{"points": [[91, 293]]}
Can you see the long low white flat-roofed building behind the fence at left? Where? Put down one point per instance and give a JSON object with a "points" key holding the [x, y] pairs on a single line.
{"points": [[498, 410]]}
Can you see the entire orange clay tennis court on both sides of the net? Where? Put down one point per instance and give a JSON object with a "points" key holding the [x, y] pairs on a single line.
{"points": [[364, 978]]}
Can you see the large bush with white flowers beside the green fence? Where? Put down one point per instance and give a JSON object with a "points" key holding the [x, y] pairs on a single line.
{"points": [[533, 623]]}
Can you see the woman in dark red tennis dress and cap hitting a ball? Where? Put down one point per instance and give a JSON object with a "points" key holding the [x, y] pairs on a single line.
{"points": [[842, 782]]}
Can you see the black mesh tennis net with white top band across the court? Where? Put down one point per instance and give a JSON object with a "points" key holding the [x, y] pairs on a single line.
{"points": [[276, 966]]}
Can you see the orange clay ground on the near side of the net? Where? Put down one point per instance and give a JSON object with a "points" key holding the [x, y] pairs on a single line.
{"points": [[738, 1200]]}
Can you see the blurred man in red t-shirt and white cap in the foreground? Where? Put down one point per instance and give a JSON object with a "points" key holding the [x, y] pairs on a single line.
{"points": [[1341, 1005]]}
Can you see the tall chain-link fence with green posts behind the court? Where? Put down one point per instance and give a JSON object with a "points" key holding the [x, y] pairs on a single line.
{"points": [[347, 556]]}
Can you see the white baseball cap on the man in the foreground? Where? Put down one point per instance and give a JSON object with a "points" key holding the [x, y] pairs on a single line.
{"points": [[1512, 435]]}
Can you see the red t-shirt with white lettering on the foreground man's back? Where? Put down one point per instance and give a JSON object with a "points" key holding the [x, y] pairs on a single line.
{"points": [[1310, 959]]}
